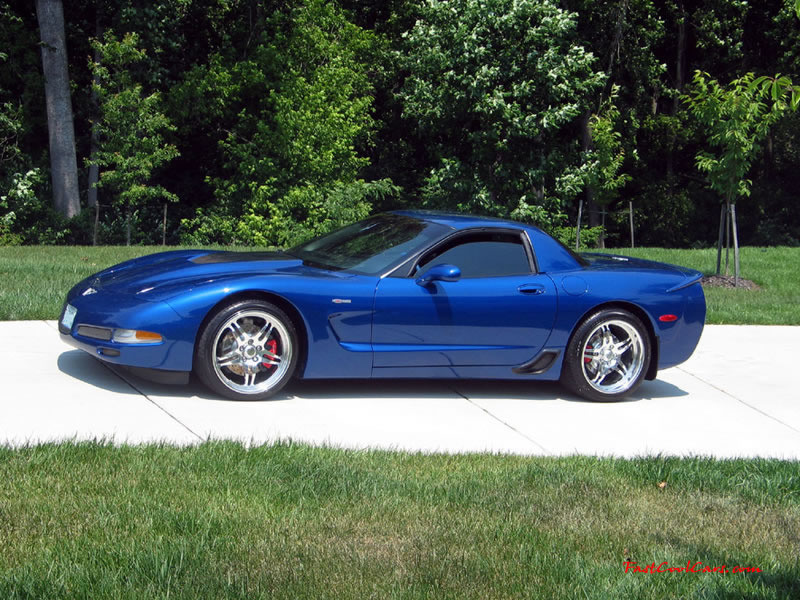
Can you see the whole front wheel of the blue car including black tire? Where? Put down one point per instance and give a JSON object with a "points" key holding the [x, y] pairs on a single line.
{"points": [[247, 351]]}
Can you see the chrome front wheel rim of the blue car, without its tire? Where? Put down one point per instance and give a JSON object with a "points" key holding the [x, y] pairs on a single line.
{"points": [[252, 351]]}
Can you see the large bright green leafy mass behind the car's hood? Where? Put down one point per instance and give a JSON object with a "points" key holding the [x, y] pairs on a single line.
{"points": [[293, 116]]}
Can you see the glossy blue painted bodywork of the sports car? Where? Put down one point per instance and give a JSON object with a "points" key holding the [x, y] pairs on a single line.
{"points": [[390, 324]]}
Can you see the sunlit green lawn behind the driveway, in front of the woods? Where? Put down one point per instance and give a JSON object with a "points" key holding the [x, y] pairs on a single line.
{"points": [[34, 279]]}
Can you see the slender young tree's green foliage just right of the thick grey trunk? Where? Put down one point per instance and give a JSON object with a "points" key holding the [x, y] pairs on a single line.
{"points": [[131, 126]]}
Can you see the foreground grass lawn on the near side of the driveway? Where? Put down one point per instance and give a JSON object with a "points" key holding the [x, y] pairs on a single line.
{"points": [[289, 521]]}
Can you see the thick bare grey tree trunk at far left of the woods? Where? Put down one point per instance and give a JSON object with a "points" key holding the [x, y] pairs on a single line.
{"points": [[63, 162]]}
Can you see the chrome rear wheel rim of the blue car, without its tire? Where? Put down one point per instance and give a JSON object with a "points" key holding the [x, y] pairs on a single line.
{"points": [[613, 356]]}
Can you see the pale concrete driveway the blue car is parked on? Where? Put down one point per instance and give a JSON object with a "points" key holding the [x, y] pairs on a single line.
{"points": [[736, 397]]}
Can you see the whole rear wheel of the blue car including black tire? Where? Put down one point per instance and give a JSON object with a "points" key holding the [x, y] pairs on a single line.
{"points": [[598, 365]]}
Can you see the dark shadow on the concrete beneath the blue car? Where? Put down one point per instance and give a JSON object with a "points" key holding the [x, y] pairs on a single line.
{"points": [[84, 367]]}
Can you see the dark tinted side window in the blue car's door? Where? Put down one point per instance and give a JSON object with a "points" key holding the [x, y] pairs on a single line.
{"points": [[480, 255]]}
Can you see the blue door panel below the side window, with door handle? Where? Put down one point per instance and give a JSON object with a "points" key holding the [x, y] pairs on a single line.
{"points": [[470, 322]]}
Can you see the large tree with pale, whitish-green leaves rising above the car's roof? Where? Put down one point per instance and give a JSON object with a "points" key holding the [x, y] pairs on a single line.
{"points": [[496, 86]]}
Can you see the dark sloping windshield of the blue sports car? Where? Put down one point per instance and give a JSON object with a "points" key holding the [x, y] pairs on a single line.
{"points": [[372, 246]]}
